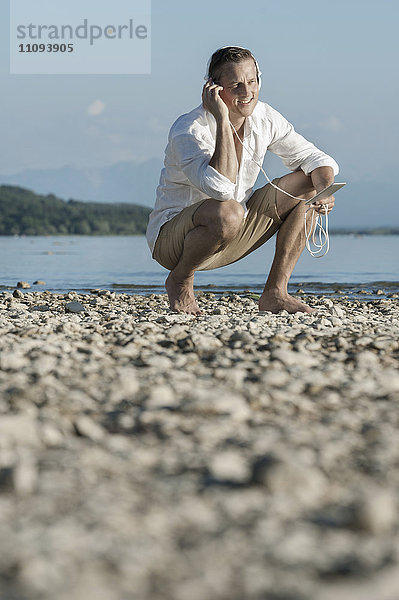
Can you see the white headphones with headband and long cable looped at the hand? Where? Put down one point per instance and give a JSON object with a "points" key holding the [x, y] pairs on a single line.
{"points": [[323, 243]]}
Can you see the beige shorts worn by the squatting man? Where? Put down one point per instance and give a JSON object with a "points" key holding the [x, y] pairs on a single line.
{"points": [[260, 224]]}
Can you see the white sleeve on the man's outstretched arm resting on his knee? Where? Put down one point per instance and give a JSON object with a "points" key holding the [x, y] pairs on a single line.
{"points": [[294, 150]]}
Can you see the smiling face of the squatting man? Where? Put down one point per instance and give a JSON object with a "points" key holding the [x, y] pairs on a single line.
{"points": [[240, 87]]}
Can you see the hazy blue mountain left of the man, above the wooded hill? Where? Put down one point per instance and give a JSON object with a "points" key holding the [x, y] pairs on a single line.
{"points": [[130, 182]]}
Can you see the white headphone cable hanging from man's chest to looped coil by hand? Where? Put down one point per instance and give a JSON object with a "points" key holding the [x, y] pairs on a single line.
{"points": [[316, 226]]}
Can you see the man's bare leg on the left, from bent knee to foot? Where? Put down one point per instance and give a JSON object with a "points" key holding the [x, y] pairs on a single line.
{"points": [[216, 224]]}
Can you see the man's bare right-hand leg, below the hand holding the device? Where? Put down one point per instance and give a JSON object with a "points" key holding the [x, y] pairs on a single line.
{"points": [[289, 244]]}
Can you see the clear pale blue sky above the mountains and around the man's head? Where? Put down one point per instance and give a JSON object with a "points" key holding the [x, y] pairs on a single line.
{"points": [[329, 67]]}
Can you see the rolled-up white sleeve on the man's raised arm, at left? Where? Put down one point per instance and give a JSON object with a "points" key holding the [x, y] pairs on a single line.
{"points": [[192, 158]]}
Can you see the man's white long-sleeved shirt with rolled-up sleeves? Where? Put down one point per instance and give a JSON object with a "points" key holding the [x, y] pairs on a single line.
{"points": [[187, 177]]}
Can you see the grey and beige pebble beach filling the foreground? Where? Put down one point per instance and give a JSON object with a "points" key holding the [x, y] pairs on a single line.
{"points": [[238, 455]]}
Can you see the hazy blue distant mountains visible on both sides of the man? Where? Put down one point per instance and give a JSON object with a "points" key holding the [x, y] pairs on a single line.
{"points": [[358, 205]]}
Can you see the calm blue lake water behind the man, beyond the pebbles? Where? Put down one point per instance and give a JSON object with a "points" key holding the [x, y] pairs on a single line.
{"points": [[124, 264]]}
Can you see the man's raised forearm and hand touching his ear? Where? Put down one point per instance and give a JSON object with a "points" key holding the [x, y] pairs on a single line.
{"points": [[224, 158]]}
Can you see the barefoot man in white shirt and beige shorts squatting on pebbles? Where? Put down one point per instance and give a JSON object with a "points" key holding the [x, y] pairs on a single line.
{"points": [[206, 213]]}
